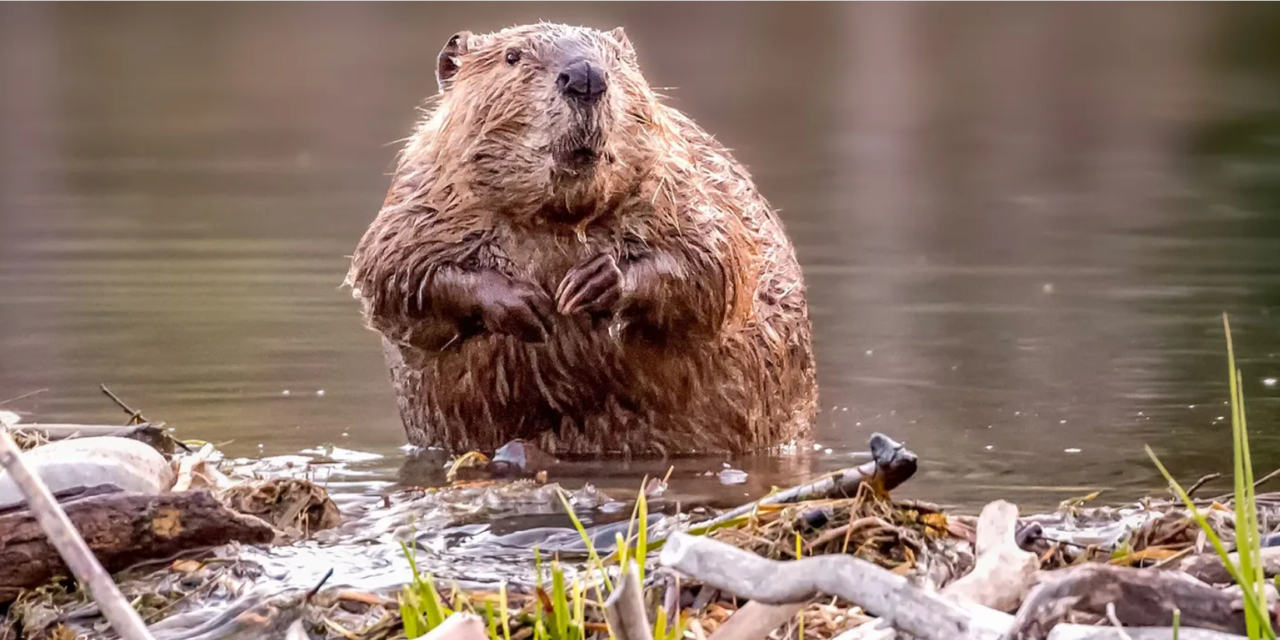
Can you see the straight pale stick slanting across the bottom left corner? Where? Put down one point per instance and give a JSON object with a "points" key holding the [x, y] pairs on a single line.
{"points": [[74, 550]]}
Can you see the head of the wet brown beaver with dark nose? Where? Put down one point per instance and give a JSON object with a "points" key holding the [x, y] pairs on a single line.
{"points": [[543, 121]]}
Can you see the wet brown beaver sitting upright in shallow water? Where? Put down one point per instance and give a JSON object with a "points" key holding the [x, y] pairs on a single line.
{"points": [[564, 259]]}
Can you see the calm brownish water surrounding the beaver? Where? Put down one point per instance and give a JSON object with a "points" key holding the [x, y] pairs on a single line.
{"points": [[1020, 225]]}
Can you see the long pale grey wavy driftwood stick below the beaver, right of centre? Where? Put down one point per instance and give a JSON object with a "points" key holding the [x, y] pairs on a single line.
{"points": [[907, 607]]}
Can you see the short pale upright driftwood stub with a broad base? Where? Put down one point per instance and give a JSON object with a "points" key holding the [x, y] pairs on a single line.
{"points": [[1004, 573]]}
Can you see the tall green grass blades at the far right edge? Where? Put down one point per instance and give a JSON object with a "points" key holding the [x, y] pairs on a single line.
{"points": [[1249, 573]]}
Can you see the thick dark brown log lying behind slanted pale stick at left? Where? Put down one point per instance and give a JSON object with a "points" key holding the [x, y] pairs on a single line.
{"points": [[122, 529]]}
